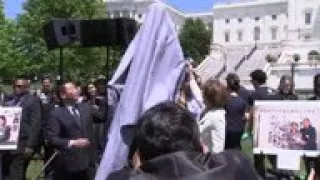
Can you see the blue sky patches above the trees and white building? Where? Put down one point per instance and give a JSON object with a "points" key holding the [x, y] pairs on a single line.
{"points": [[14, 7]]}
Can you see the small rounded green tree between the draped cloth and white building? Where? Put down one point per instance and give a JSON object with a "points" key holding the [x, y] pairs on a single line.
{"points": [[195, 39]]}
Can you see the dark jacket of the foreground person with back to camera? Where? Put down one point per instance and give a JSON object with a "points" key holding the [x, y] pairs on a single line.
{"points": [[228, 165]]}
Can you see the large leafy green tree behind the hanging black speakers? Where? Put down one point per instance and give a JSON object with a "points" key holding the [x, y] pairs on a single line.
{"points": [[80, 63]]}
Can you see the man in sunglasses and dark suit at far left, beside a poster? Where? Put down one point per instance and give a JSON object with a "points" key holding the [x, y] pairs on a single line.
{"points": [[16, 162]]}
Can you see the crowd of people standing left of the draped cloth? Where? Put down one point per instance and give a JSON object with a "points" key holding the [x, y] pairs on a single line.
{"points": [[67, 120]]}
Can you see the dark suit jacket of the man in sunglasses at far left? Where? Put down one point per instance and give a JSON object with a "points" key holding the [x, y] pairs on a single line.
{"points": [[30, 125]]}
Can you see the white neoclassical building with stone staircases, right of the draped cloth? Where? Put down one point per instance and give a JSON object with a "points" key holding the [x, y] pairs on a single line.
{"points": [[247, 34]]}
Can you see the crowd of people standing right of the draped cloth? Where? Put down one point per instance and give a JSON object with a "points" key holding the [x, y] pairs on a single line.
{"points": [[227, 114]]}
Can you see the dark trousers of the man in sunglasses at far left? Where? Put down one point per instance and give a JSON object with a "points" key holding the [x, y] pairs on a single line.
{"points": [[14, 166]]}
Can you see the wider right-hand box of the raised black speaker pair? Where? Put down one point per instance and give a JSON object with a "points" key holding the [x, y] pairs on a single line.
{"points": [[107, 32]]}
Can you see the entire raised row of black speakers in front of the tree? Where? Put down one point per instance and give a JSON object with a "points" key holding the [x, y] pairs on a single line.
{"points": [[90, 33]]}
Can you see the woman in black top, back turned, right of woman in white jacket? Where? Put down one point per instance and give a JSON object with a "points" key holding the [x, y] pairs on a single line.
{"points": [[235, 113]]}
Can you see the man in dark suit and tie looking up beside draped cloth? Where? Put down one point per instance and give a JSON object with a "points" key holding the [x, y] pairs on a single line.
{"points": [[70, 130]]}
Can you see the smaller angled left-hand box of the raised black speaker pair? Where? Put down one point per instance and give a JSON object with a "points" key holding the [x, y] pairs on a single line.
{"points": [[61, 32]]}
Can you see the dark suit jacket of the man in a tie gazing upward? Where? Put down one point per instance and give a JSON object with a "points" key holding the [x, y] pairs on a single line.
{"points": [[63, 127]]}
